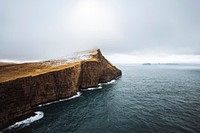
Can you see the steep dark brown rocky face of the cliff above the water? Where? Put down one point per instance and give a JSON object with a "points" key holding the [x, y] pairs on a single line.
{"points": [[19, 96]]}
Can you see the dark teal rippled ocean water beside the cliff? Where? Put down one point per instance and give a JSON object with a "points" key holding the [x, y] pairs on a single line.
{"points": [[149, 99]]}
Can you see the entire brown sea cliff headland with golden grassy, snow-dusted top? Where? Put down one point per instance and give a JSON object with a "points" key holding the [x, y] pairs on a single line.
{"points": [[24, 86]]}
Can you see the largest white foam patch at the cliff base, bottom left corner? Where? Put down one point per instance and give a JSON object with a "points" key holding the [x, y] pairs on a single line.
{"points": [[39, 115]]}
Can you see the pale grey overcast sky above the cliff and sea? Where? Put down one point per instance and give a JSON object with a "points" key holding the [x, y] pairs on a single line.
{"points": [[127, 31]]}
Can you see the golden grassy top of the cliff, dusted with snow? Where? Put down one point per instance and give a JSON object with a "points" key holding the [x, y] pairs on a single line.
{"points": [[13, 71]]}
